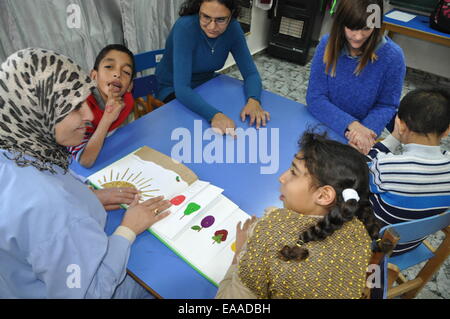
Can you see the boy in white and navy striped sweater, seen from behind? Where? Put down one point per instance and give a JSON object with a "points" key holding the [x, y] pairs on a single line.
{"points": [[416, 183]]}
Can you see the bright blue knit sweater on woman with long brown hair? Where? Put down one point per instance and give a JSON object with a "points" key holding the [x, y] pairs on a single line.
{"points": [[372, 97]]}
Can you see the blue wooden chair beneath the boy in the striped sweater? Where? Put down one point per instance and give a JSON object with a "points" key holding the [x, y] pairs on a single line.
{"points": [[412, 231]]}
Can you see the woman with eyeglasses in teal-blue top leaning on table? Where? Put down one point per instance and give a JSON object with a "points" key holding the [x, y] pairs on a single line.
{"points": [[198, 45]]}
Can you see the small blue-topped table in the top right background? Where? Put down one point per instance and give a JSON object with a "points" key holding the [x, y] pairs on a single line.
{"points": [[419, 27]]}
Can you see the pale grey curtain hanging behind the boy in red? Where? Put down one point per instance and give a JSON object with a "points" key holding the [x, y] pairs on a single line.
{"points": [[142, 25]]}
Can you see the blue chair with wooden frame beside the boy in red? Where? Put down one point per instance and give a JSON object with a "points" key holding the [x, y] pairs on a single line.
{"points": [[145, 87]]}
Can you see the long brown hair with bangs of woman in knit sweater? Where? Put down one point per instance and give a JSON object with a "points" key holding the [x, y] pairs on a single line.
{"points": [[353, 15]]}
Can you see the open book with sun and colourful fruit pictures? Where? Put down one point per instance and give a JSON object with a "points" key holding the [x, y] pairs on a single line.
{"points": [[201, 228]]}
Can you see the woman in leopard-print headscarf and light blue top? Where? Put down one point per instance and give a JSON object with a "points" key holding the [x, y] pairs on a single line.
{"points": [[52, 239]]}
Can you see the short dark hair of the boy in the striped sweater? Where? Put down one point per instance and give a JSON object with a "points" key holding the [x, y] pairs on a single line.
{"points": [[426, 111]]}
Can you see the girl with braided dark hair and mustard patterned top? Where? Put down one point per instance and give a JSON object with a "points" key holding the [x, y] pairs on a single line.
{"points": [[318, 245]]}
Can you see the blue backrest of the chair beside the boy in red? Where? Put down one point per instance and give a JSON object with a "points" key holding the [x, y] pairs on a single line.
{"points": [[148, 84]]}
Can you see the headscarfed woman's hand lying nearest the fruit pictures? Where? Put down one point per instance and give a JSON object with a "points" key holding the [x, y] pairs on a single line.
{"points": [[141, 216]]}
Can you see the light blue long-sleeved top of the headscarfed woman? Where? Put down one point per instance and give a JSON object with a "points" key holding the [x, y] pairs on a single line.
{"points": [[52, 239]]}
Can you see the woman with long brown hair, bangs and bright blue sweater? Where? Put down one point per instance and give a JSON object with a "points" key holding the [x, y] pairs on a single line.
{"points": [[356, 75]]}
